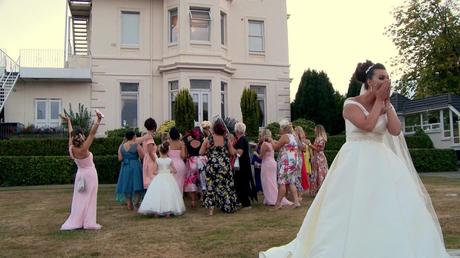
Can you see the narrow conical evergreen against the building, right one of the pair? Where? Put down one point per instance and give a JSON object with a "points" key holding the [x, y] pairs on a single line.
{"points": [[250, 111]]}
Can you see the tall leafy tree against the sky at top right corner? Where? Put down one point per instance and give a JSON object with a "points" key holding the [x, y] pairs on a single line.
{"points": [[427, 35]]}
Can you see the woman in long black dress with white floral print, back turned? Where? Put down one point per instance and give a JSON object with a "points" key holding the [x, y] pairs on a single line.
{"points": [[220, 186]]}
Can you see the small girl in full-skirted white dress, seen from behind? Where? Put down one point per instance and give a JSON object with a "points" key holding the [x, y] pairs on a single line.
{"points": [[163, 197]]}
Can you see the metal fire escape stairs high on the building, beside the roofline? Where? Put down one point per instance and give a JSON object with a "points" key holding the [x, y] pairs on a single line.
{"points": [[80, 11]]}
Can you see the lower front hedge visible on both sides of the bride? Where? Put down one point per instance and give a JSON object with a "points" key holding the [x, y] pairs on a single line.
{"points": [[425, 160]]}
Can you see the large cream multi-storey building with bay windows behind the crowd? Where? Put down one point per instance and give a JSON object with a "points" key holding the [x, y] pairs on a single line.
{"points": [[129, 58]]}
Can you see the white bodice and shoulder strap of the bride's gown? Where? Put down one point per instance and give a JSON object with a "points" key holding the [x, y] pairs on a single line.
{"points": [[353, 132]]}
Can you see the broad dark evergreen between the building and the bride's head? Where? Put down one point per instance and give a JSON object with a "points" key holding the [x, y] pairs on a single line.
{"points": [[315, 100]]}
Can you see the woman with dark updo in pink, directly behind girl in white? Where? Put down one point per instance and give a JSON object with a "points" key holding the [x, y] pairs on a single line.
{"points": [[149, 165]]}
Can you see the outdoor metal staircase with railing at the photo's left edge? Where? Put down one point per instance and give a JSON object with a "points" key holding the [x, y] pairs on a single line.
{"points": [[9, 74]]}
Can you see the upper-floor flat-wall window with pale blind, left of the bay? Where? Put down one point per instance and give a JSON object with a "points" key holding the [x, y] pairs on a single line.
{"points": [[130, 29]]}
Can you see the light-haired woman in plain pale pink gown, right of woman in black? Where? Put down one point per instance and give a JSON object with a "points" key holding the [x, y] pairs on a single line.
{"points": [[268, 171]]}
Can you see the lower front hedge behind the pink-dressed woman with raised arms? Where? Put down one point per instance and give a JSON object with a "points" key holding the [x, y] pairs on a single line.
{"points": [[47, 170]]}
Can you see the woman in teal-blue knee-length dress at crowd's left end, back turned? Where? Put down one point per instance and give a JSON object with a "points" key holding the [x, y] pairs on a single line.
{"points": [[130, 184]]}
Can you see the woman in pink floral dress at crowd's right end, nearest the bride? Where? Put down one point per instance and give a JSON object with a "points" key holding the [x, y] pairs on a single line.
{"points": [[318, 160]]}
